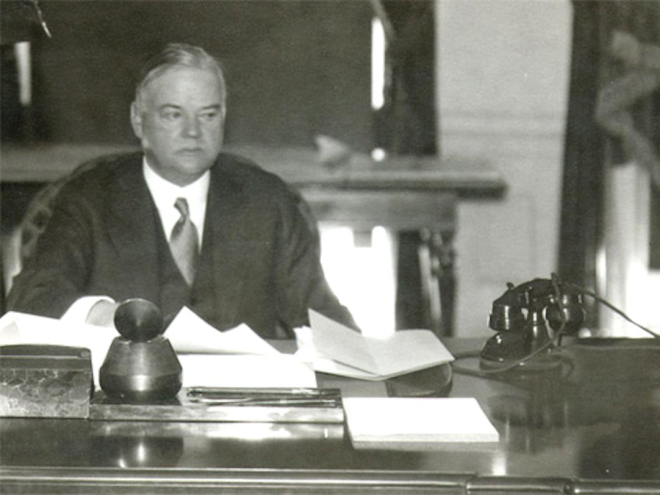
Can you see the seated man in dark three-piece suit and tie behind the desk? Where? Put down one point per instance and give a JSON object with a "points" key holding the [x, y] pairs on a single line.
{"points": [[181, 224]]}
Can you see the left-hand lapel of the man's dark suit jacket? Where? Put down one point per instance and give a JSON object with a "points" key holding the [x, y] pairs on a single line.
{"points": [[133, 229]]}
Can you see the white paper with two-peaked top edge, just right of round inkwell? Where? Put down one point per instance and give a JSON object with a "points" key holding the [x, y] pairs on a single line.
{"points": [[188, 333]]}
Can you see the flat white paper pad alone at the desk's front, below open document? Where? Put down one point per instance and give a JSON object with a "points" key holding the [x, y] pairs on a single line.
{"points": [[416, 421]]}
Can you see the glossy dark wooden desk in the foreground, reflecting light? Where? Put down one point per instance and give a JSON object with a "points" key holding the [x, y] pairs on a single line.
{"points": [[593, 428]]}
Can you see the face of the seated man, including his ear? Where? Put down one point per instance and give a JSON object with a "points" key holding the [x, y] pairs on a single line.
{"points": [[180, 122]]}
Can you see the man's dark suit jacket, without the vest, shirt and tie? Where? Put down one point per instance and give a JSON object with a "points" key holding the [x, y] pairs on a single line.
{"points": [[103, 240]]}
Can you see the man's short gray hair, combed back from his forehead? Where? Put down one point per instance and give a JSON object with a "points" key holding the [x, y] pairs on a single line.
{"points": [[179, 54]]}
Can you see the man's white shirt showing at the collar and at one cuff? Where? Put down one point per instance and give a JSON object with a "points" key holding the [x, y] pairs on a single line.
{"points": [[164, 194]]}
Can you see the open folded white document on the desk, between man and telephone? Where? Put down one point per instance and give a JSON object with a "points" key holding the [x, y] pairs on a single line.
{"points": [[336, 349]]}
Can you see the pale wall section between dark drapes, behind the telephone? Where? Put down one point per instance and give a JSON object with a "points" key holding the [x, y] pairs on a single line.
{"points": [[503, 86]]}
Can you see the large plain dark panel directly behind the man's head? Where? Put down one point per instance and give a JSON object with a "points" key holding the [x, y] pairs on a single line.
{"points": [[295, 68]]}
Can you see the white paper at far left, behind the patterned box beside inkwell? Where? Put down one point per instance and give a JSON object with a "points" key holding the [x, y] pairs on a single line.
{"points": [[23, 328]]}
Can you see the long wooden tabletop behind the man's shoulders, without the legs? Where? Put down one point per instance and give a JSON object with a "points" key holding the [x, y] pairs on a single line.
{"points": [[301, 167]]}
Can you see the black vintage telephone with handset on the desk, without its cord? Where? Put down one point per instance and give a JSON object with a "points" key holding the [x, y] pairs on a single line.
{"points": [[521, 317]]}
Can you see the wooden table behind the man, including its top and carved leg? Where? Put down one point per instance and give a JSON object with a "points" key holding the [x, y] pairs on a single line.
{"points": [[402, 194]]}
